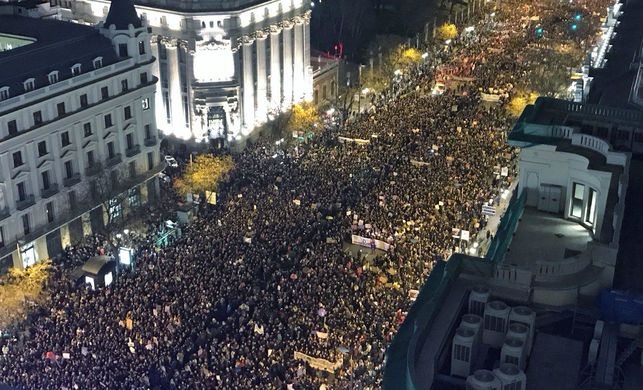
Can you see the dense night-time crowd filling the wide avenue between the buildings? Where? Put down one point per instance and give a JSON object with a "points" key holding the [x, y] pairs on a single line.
{"points": [[260, 287]]}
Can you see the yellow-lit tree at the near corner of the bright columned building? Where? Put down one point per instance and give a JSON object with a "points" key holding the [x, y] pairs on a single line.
{"points": [[203, 174]]}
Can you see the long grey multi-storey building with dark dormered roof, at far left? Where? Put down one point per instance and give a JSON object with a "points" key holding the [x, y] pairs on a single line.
{"points": [[78, 138]]}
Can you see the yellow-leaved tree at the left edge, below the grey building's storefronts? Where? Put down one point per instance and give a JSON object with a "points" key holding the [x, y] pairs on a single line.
{"points": [[18, 289]]}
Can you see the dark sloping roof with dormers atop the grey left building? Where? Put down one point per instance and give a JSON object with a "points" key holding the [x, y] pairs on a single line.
{"points": [[56, 46]]}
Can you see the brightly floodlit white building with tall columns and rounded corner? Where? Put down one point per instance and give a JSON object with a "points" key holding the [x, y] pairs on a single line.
{"points": [[224, 66]]}
